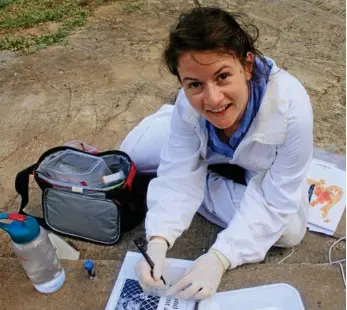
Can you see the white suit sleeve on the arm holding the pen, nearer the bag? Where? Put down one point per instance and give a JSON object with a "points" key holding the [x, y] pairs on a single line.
{"points": [[178, 191]]}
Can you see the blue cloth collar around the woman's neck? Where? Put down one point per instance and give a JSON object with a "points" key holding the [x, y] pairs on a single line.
{"points": [[256, 93]]}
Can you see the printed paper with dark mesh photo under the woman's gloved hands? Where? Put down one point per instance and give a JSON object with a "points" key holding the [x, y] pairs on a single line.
{"points": [[128, 295]]}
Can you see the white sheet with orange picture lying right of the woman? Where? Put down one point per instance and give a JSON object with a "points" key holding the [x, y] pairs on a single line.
{"points": [[329, 196]]}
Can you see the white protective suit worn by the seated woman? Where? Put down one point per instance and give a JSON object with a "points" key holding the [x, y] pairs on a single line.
{"points": [[276, 153]]}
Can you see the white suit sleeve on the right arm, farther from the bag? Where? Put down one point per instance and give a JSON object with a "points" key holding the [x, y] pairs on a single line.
{"points": [[272, 198]]}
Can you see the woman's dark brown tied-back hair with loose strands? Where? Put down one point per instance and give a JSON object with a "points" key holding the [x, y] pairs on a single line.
{"points": [[211, 28]]}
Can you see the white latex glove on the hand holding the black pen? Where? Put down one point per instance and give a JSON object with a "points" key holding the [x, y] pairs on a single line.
{"points": [[156, 250]]}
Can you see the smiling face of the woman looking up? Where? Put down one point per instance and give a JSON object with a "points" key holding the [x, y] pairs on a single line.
{"points": [[216, 85]]}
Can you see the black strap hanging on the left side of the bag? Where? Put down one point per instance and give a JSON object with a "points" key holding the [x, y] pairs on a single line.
{"points": [[22, 188]]}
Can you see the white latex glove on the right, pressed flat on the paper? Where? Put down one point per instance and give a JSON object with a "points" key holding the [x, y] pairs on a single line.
{"points": [[202, 279]]}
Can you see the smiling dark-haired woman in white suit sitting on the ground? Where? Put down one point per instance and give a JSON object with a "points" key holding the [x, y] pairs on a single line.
{"points": [[235, 107]]}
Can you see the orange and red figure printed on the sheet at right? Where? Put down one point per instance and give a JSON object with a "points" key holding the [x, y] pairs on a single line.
{"points": [[327, 196]]}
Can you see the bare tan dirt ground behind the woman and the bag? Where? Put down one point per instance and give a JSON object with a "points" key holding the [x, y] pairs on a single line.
{"points": [[108, 77]]}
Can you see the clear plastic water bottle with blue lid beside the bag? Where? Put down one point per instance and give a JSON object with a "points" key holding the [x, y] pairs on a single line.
{"points": [[32, 246]]}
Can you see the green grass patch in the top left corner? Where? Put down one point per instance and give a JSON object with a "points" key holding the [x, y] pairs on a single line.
{"points": [[18, 15]]}
